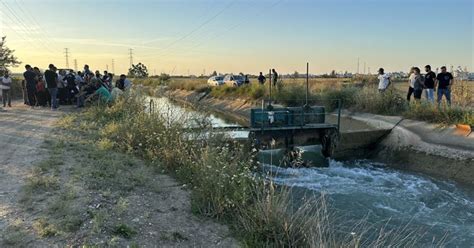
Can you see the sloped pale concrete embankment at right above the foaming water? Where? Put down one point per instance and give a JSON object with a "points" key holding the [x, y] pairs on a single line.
{"points": [[444, 152]]}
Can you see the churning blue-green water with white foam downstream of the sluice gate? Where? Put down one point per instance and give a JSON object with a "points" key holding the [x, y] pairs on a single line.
{"points": [[365, 187]]}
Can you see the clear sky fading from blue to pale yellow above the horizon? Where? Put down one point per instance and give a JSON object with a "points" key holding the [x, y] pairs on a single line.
{"points": [[177, 36]]}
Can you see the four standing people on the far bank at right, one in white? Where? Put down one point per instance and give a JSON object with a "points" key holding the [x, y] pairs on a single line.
{"points": [[429, 83]]}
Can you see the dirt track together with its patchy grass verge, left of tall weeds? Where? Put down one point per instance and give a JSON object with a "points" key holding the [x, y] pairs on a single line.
{"points": [[156, 206]]}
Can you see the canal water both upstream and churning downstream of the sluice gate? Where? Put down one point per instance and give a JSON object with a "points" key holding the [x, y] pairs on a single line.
{"points": [[384, 197]]}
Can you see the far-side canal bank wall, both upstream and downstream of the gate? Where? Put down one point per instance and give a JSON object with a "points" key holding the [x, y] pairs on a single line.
{"points": [[445, 152]]}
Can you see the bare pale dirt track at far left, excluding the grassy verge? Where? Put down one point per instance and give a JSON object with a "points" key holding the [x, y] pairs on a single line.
{"points": [[22, 132]]}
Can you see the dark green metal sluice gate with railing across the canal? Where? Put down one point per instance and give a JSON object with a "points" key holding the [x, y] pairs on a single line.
{"points": [[288, 127]]}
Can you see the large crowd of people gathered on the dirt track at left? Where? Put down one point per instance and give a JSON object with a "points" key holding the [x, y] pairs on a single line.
{"points": [[65, 87]]}
